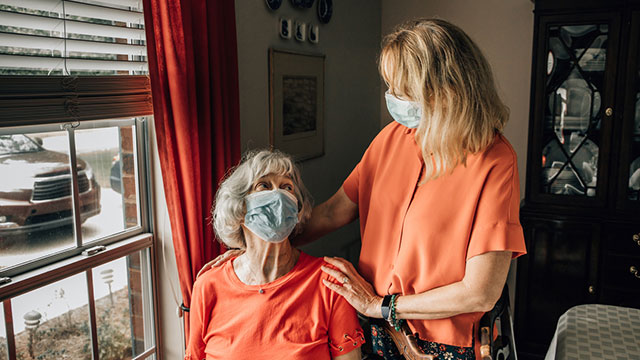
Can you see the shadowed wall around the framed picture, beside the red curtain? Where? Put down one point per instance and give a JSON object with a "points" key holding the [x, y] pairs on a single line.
{"points": [[350, 43]]}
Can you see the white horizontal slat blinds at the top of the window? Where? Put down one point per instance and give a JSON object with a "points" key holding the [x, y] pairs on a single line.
{"points": [[72, 37]]}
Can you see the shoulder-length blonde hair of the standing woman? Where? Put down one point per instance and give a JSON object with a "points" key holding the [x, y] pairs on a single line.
{"points": [[434, 63]]}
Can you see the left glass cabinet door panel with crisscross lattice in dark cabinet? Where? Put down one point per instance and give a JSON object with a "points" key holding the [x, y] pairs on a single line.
{"points": [[572, 120]]}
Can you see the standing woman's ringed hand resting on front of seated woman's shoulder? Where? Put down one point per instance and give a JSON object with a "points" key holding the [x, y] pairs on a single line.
{"points": [[356, 290]]}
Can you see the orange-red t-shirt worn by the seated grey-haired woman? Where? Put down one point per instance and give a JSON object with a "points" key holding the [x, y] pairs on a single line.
{"points": [[295, 316]]}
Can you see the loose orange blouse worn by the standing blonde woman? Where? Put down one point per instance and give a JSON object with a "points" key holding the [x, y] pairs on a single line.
{"points": [[417, 238]]}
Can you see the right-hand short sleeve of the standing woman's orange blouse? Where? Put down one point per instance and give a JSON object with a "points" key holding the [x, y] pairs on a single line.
{"points": [[496, 225]]}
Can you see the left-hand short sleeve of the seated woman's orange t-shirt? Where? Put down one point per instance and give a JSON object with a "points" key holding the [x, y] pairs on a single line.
{"points": [[198, 323]]}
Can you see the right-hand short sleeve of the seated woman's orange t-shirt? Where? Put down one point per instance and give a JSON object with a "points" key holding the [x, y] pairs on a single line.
{"points": [[345, 333]]}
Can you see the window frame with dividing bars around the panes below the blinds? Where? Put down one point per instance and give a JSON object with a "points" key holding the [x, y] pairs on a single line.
{"points": [[34, 274]]}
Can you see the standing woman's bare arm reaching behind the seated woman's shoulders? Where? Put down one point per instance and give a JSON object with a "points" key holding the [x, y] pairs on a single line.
{"points": [[332, 214]]}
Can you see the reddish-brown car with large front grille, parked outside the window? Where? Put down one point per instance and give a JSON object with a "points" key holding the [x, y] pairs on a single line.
{"points": [[35, 186]]}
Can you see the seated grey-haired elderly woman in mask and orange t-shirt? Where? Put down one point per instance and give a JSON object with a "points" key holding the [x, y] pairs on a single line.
{"points": [[269, 302]]}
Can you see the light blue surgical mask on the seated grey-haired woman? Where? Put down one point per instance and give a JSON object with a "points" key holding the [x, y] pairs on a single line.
{"points": [[271, 214]]}
